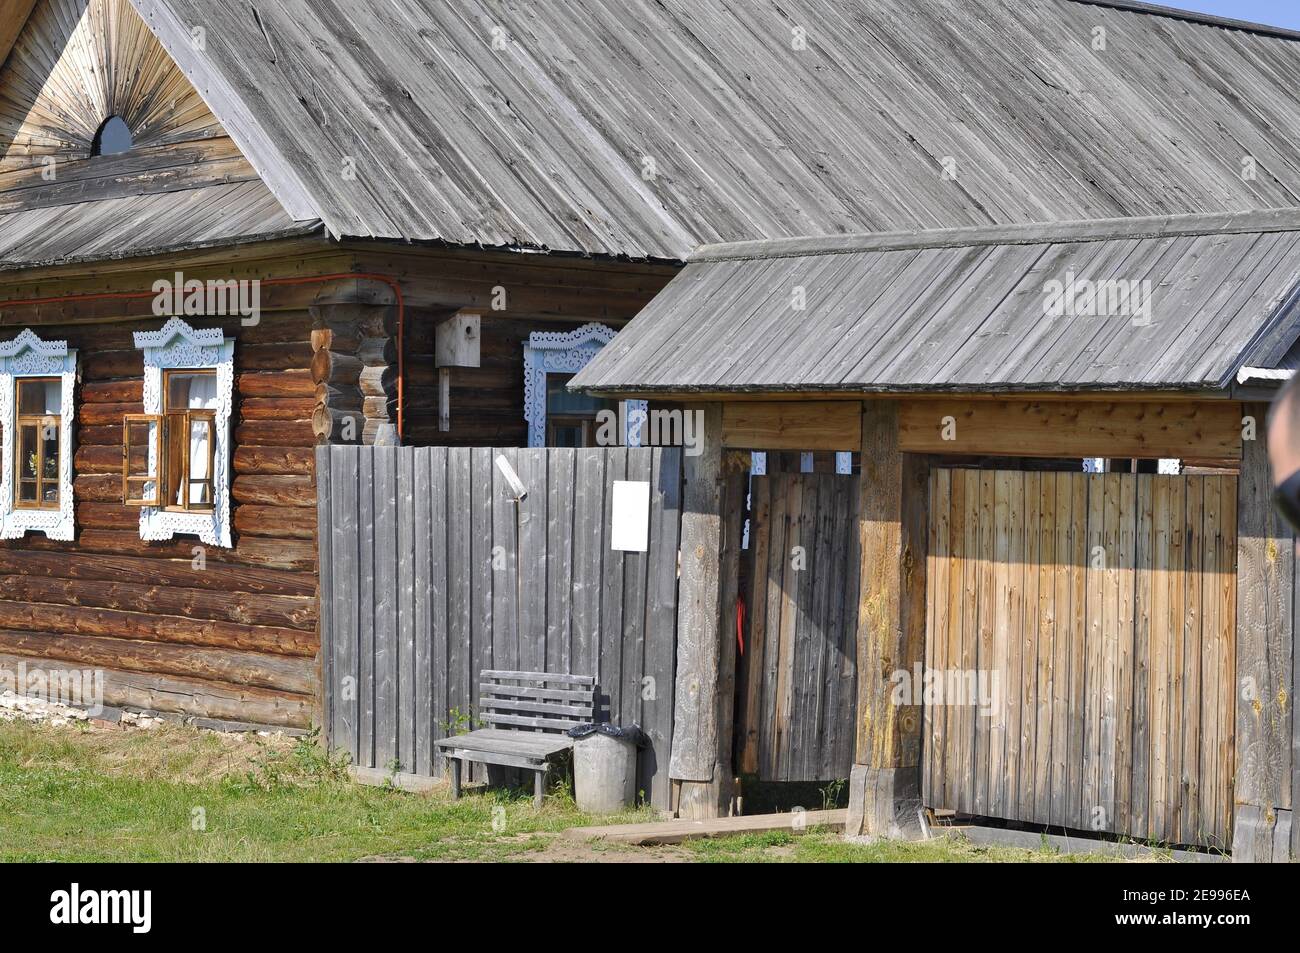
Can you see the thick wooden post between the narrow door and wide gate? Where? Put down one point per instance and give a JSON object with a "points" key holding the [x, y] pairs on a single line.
{"points": [[885, 787]]}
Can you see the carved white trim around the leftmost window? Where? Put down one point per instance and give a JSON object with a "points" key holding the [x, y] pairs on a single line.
{"points": [[31, 357]]}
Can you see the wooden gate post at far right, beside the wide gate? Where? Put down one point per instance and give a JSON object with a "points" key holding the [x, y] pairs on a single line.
{"points": [[1266, 717]]}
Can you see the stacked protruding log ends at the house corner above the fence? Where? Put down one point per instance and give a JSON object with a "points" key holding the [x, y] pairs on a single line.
{"points": [[354, 335]]}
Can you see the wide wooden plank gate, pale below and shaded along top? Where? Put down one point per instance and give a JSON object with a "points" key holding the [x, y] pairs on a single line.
{"points": [[1081, 651]]}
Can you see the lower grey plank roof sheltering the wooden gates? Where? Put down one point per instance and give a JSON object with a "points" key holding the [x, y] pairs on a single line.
{"points": [[969, 310]]}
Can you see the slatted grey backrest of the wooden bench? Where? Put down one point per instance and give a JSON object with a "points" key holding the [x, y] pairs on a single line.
{"points": [[536, 701]]}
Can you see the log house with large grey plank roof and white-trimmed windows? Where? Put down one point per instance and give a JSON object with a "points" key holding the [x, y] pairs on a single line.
{"points": [[233, 233]]}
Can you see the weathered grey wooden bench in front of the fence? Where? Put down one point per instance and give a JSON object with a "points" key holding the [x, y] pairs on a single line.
{"points": [[527, 717]]}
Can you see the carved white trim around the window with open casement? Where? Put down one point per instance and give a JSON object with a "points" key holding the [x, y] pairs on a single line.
{"points": [[177, 346]]}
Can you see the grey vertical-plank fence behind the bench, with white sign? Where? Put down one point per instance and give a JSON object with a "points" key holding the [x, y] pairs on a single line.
{"points": [[431, 574]]}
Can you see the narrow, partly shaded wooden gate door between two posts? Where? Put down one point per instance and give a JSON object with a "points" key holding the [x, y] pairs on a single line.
{"points": [[798, 687]]}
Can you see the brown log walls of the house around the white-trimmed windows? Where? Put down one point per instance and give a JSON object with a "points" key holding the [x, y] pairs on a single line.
{"points": [[237, 642]]}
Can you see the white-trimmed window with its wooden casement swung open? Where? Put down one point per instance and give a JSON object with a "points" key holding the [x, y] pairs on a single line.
{"points": [[176, 457]]}
